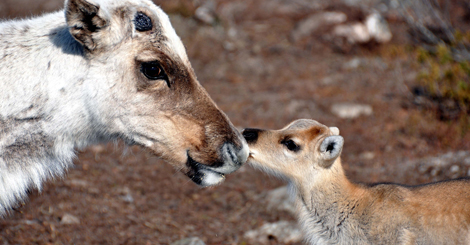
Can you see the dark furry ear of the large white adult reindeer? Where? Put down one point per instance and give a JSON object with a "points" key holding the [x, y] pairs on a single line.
{"points": [[84, 20]]}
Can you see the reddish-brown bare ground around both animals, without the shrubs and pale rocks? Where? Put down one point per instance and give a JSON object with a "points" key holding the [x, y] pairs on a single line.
{"points": [[260, 77]]}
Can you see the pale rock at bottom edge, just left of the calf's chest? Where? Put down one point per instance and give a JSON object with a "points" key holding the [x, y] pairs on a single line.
{"points": [[282, 232]]}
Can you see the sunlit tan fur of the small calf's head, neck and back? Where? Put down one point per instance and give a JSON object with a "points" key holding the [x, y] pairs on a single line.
{"points": [[333, 210]]}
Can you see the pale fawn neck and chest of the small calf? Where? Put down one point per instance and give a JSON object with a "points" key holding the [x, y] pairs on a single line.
{"points": [[326, 203]]}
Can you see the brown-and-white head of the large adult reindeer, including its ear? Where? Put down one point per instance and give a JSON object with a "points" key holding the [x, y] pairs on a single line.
{"points": [[141, 87]]}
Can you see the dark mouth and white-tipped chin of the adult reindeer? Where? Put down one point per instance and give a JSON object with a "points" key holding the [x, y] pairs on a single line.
{"points": [[202, 174]]}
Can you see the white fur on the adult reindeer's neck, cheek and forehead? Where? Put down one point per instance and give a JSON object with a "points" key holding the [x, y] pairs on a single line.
{"points": [[54, 99]]}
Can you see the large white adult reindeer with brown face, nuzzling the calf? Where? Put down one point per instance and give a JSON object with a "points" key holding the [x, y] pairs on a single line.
{"points": [[109, 69]]}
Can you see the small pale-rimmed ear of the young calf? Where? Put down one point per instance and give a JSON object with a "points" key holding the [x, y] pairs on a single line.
{"points": [[330, 149]]}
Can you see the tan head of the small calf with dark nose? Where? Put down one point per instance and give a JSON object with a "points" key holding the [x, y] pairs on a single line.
{"points": [[298, 149]]}
